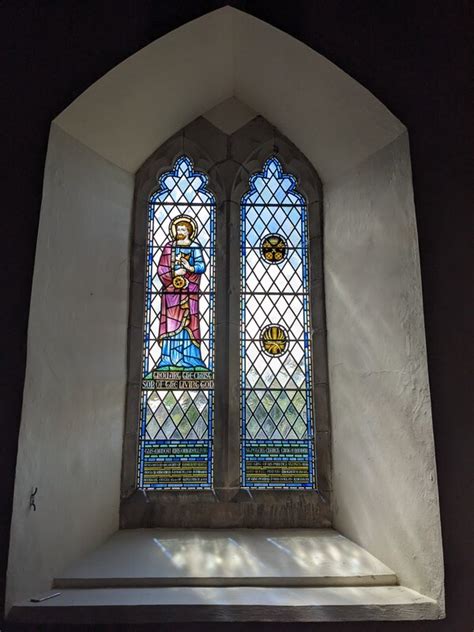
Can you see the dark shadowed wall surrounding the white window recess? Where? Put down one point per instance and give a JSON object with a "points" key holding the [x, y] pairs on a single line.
{"points": [[413, 55]]}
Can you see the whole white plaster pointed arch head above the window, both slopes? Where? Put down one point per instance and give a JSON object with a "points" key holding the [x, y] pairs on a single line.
{"points": [[136, 106]]}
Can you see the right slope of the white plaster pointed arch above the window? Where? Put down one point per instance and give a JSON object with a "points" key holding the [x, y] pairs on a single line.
{"points": [[331, 118]]}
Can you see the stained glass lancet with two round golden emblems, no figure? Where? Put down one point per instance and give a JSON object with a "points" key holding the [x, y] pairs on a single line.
{"points": [[276, 407]]}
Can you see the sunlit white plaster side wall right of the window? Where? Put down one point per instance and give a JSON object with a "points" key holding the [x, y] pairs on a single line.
{"points": [[384, 476]]}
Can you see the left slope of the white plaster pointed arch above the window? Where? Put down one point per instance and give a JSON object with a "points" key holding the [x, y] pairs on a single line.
{"points": [[137, 105]]}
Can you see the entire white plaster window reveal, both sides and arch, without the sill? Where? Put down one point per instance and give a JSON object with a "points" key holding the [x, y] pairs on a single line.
{"points": [[385, 491]]}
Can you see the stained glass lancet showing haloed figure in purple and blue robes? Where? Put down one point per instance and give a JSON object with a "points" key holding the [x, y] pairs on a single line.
{"points": [[177, 396]]}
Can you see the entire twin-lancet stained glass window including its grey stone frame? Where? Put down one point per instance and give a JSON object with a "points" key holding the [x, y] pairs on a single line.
{"points": [[226, 308]]}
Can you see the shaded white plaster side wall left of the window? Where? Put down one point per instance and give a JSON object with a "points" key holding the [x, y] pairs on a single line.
{"points": [[70, 443]]}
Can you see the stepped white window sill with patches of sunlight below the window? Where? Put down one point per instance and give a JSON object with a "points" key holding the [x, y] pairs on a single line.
{"points": [[154, 575]]}
